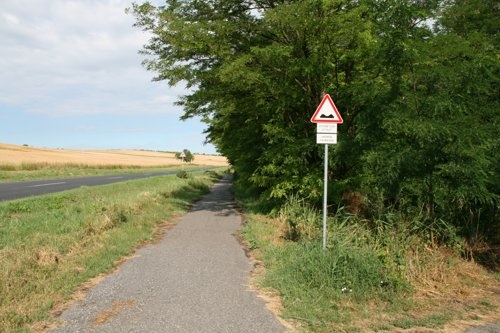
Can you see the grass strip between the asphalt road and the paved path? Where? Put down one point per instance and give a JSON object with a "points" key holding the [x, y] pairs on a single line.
{"points": [[50, 245]]}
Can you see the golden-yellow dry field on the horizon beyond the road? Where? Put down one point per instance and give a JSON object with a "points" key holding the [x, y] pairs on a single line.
{"points": [[16, 155]]}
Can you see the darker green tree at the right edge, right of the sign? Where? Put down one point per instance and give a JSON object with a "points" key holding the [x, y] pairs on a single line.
{"points": [[439, 155]]}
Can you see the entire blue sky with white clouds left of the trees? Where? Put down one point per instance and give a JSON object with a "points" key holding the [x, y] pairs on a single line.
{"points": [[71, 77]]}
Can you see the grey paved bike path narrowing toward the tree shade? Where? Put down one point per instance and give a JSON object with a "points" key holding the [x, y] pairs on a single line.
{"points": [[196, 279]]}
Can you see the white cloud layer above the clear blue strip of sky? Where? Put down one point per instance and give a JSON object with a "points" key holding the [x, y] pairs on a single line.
{"points": [[63, 57]]}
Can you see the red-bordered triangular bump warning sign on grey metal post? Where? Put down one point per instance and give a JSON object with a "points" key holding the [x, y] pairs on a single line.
{"points": [[326, 117]]}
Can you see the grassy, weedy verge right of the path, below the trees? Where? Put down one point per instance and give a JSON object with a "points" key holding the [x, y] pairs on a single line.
{"points": [[369, 279]]}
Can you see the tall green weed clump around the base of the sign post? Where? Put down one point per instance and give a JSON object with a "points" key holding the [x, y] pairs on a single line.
{"points": [[355, 264]]}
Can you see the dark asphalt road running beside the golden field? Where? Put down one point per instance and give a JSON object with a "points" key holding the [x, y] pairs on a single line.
{"points": [[17, 190]]}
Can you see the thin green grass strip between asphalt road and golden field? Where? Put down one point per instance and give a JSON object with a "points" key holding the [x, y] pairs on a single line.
{"points": [[39, 171]]}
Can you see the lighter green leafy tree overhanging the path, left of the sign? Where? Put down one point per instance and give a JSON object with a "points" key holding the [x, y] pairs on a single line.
{"points": [[258, 69]]}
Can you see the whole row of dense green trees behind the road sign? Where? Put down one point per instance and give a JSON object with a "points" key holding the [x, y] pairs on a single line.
{"points": [[416, 82]]}
